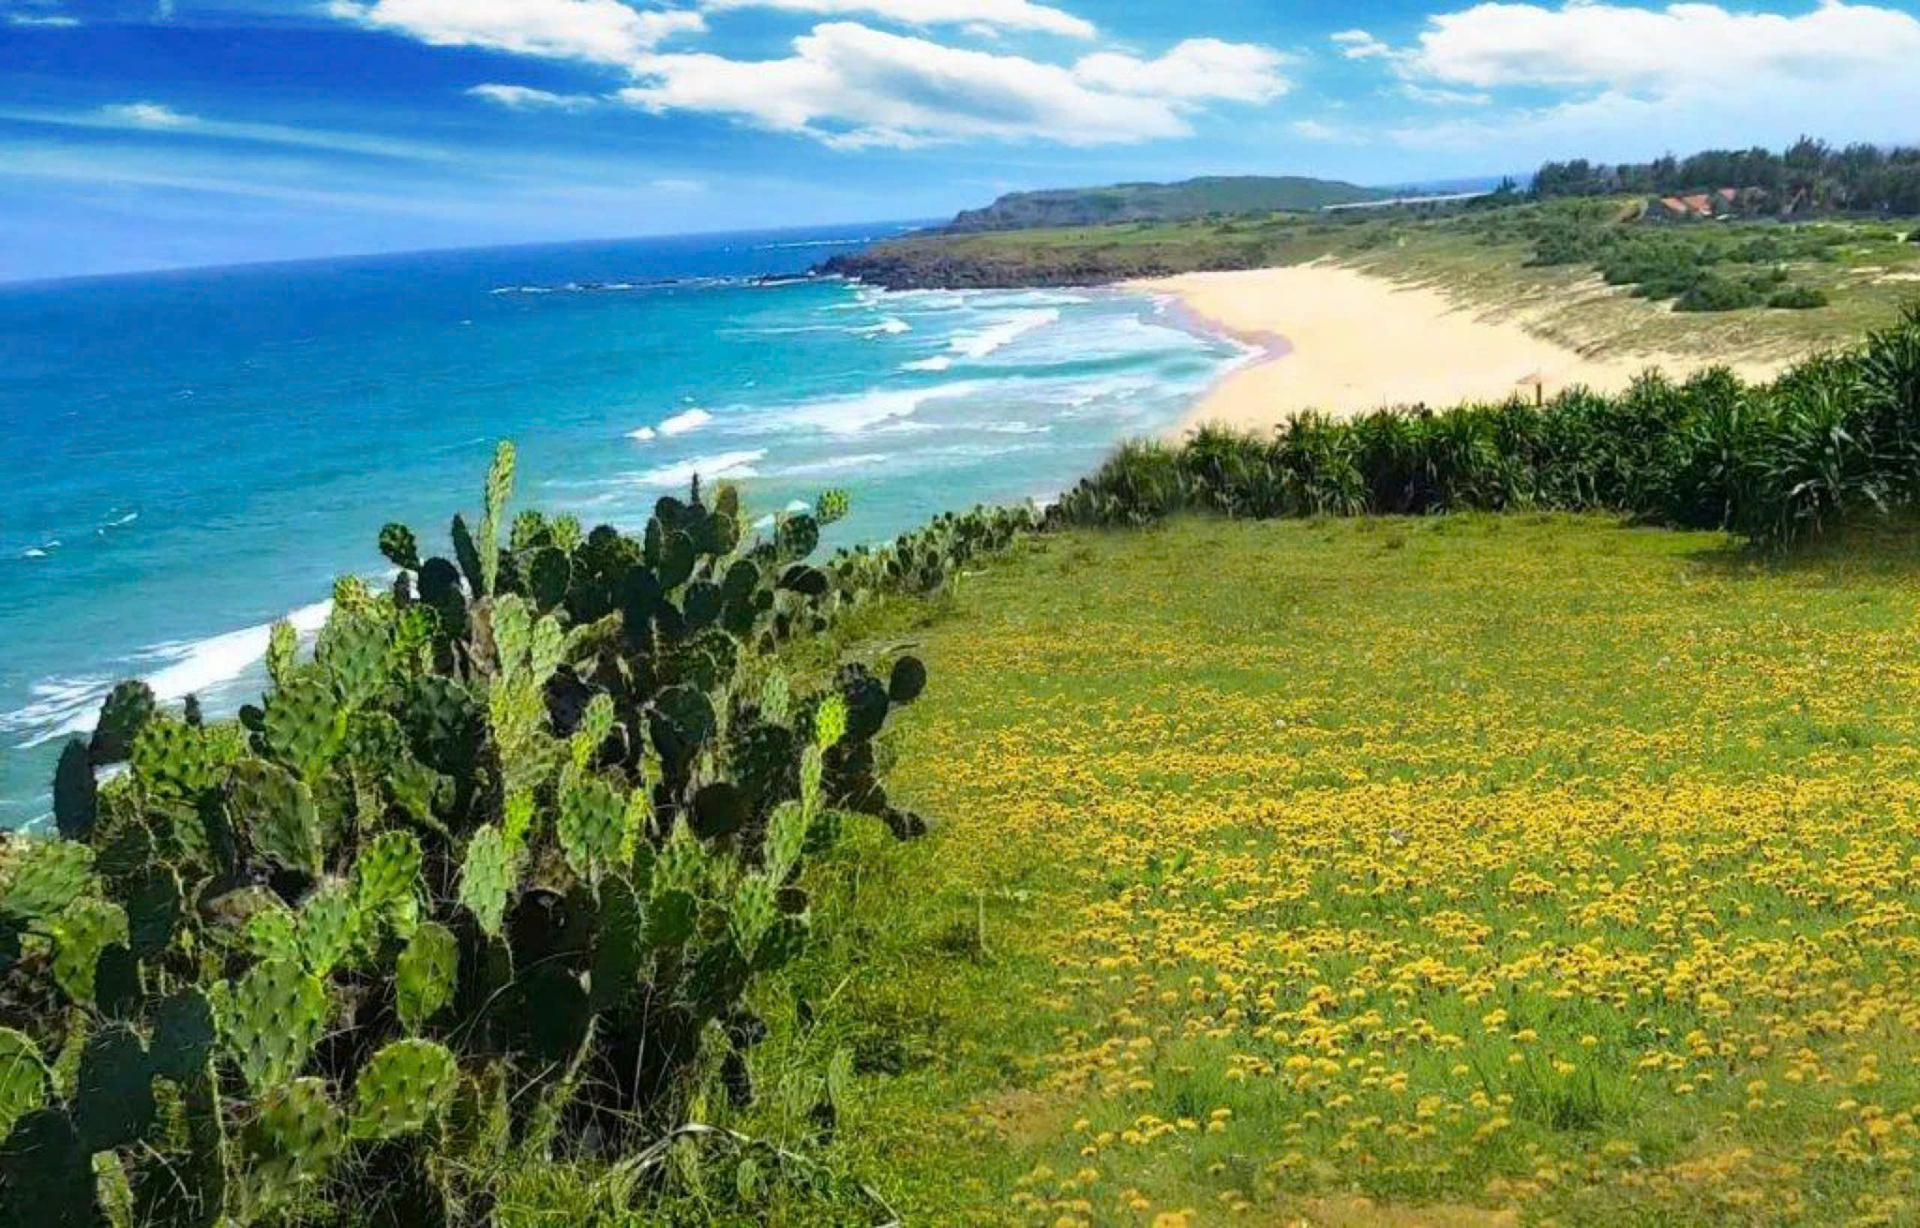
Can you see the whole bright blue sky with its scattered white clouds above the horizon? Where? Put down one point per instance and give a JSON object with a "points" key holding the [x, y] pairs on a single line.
{"points": [[164, 133]]}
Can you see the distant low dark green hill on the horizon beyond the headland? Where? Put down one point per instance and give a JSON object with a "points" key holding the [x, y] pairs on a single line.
{"points": [[1159, 202]]}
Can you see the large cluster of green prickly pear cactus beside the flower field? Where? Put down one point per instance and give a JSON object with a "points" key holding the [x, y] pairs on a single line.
{"points": [[504, 853]]}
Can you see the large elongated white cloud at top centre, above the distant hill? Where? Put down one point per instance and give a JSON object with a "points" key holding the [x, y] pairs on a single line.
{"points": [[857, 87]]}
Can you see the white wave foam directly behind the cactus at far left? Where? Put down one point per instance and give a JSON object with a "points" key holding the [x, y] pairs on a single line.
{"points": [[64, 707]]}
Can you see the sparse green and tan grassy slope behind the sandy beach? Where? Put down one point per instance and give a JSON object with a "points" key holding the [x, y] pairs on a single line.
{"points": [[1474, 258]]}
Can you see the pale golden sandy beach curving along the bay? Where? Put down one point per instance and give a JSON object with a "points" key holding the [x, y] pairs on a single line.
{"points": [[1358, 342]]}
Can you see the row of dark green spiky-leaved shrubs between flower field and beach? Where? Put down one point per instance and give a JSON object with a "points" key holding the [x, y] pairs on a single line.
{"points": [[1835, 437]]}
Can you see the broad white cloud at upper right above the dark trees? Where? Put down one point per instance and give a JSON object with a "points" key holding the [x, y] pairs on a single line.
{"points": [[1637, 82]]}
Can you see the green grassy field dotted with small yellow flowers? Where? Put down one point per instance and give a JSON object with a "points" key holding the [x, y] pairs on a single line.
{"points": [[1476, 862]]}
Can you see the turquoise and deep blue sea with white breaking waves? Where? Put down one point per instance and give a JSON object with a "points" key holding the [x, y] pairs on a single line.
{"points": [[195, 456]]}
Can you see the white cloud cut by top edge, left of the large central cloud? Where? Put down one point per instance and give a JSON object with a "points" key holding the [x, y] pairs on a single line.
{"points": [[598, 32]]}
